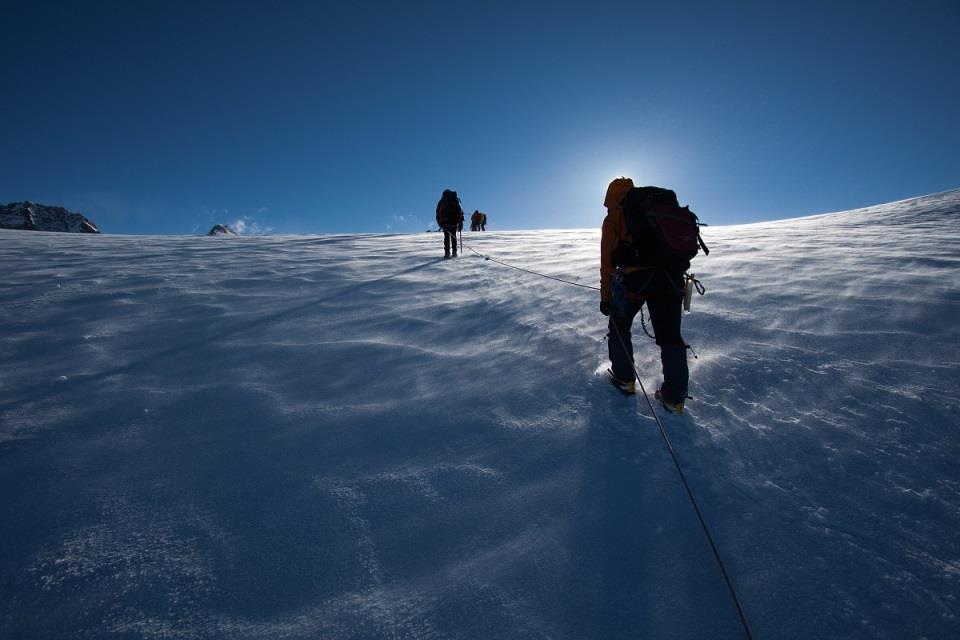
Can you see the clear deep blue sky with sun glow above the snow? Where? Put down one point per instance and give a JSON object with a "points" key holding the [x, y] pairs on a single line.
{"points": [[314, 118]]}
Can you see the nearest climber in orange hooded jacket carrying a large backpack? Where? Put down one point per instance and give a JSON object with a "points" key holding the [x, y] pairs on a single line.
{"points": [[646, 246]]}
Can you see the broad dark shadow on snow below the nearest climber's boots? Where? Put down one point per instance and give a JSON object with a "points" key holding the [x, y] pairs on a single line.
{"points": [[639, 565]]}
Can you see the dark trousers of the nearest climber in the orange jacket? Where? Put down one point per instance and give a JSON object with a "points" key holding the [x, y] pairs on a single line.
{"points": [[665, 313]]}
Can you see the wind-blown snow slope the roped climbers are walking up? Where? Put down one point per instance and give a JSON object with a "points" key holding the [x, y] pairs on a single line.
{"points": [[349, 437]]}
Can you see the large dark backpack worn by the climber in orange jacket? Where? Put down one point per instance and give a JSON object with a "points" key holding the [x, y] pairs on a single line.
{"points": [[665, 235]]}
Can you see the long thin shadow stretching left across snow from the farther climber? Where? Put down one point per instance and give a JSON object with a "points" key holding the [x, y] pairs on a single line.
{"points": [[82, 380]]}
